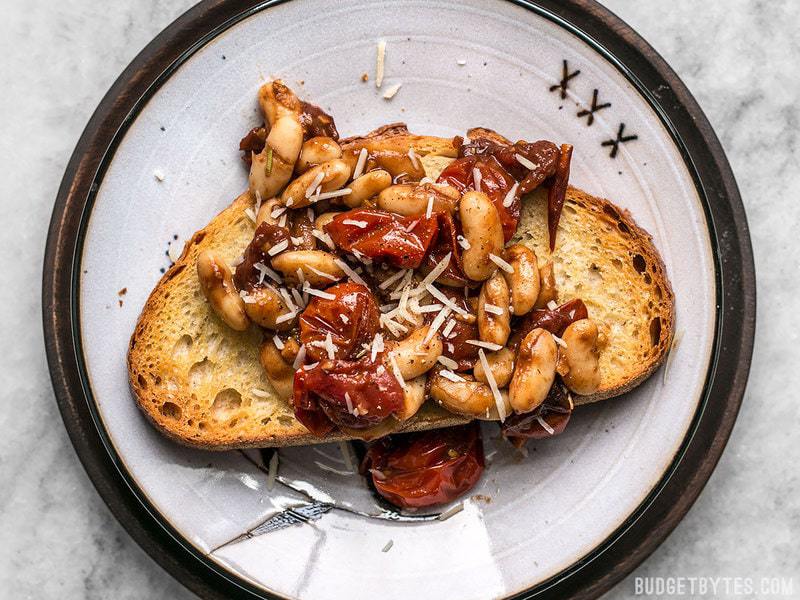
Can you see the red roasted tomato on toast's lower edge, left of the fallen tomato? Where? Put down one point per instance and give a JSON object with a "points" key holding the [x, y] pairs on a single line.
{"points": [[351, 393]]}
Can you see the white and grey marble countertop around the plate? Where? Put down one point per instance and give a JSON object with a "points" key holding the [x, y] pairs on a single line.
{"points": [[738, 57]]}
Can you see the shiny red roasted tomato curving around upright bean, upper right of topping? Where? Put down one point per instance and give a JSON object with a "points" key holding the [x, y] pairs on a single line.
{"points": [[495, 183]]}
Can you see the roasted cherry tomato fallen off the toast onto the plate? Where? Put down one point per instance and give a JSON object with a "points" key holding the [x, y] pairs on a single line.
{"points": [[417, 470]]}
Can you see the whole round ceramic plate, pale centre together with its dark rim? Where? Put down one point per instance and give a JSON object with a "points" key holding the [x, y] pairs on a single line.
{"points": [[160, 159]]}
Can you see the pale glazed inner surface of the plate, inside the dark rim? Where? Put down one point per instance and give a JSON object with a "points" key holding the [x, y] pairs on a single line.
{"points": [[461, 64]]}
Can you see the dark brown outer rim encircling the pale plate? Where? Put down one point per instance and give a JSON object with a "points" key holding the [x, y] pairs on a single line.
{"points": [[659, 512]]}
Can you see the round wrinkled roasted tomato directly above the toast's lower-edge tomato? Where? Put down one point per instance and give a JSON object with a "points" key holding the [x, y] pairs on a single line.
{"points": [[351, 318]]}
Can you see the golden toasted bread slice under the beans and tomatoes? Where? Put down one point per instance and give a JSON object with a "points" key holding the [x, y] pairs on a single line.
{"points": [[202, 384]]}
